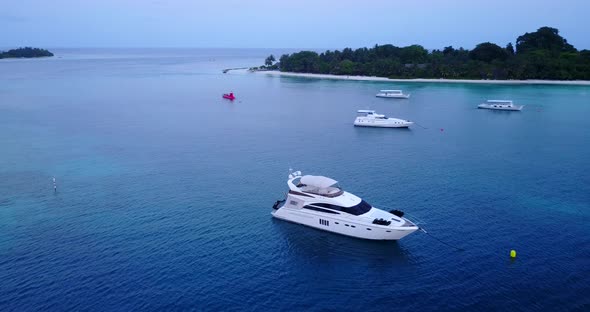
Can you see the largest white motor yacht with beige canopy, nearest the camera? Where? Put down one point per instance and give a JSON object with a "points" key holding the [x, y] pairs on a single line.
{"points": [[318, 202]]}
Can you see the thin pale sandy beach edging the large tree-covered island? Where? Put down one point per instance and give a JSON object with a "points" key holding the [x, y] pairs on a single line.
{"points": [[369, 78]]}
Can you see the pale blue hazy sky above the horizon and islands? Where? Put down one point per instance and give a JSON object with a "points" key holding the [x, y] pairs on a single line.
{"points": [[314, 24]]}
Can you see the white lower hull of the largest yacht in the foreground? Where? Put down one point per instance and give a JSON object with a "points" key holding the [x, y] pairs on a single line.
{"points": [[343, 226]]}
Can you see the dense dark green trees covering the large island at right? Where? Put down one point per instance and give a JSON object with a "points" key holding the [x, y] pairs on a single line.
{"points": [[543, 54]]}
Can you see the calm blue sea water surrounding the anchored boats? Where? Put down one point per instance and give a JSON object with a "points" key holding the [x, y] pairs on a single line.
{"points": [[165, 190]]}
